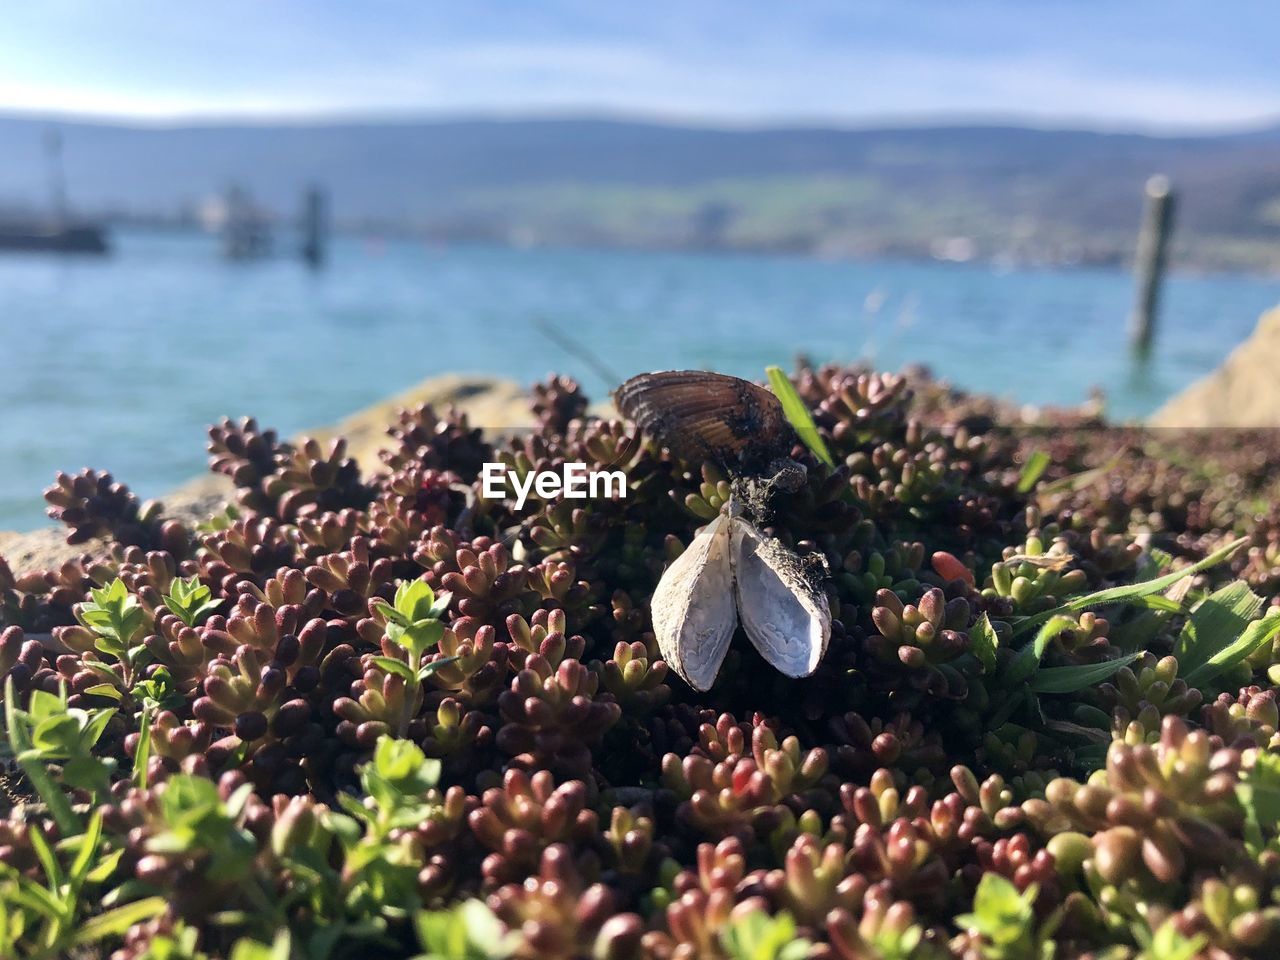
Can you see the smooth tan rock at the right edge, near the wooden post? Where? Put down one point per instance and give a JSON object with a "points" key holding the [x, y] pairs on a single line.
{"points": [[1244, 392]]}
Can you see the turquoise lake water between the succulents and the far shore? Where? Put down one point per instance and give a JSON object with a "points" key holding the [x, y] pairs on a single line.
{"points": [[122, 363]]}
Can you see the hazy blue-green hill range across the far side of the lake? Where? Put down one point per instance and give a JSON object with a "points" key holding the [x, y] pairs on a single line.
{"points": [[958, 191]]}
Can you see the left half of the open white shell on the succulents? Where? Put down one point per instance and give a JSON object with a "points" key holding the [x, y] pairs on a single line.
{"points": [[693, 609]]}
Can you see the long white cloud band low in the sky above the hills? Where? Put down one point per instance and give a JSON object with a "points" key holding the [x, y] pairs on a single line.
{"points": [[766, 84]]}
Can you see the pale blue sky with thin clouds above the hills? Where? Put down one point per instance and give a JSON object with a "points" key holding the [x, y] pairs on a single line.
{"points": [[1100, 63]]}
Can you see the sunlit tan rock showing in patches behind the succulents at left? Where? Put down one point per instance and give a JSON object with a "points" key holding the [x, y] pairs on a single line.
{"points": [[491, 403]]}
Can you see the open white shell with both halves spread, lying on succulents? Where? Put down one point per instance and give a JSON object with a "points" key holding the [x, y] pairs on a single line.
{"points": [[730, 570]]}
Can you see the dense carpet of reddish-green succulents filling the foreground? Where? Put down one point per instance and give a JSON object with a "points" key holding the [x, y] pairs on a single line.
{"points": [[372, 712]]}
